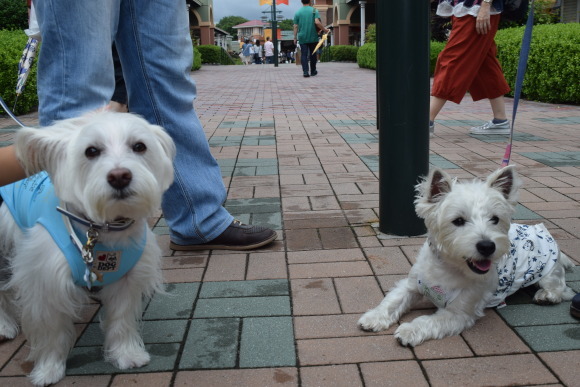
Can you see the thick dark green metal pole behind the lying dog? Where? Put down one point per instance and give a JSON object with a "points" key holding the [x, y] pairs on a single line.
{"points": [[403, 111]]}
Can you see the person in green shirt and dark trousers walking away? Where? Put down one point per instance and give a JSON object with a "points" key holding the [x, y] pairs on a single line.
{"points": [[306, 25]]}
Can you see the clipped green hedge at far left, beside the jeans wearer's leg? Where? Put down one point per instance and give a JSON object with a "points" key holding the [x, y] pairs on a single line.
{"points": [[12, 44]]}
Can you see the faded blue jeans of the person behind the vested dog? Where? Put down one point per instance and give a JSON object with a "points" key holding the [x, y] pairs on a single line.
{"points": [[76, 75]]}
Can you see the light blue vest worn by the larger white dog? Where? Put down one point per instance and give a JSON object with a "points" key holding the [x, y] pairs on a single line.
{"points": [[33, 201]]}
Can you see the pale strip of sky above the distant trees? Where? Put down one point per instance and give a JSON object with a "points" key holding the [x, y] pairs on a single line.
{"points": [[250, 9]]}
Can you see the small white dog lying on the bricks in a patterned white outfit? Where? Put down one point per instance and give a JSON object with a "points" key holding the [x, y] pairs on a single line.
{"points": [[473, 258]]}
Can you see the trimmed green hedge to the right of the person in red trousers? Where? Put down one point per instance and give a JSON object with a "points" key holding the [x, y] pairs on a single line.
{"points": [[552, 74]]}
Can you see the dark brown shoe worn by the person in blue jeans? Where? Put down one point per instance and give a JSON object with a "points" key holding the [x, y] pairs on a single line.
{"points": [[237, 236]]}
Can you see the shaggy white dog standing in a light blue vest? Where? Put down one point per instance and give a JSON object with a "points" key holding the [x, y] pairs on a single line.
{"points": [[108, 172]]}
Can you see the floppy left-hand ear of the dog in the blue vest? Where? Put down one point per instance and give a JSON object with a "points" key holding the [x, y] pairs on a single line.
{"points": [[41, 149]]}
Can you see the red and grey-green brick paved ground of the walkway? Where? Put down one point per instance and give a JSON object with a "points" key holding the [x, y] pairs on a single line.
{"points": [[300, 155]]}
